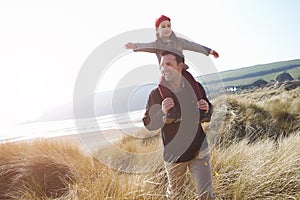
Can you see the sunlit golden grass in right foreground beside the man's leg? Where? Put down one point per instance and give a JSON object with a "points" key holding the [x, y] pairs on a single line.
{"points": [[258, 171]]}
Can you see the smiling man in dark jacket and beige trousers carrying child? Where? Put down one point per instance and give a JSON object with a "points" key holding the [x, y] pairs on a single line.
{"points": [[185, 144]]}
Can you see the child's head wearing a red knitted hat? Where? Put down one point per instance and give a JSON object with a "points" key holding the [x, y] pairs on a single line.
{"points": [[163, 26]]}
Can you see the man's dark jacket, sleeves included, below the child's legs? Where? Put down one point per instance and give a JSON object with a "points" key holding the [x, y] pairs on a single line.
{"points": [[183, 140]]}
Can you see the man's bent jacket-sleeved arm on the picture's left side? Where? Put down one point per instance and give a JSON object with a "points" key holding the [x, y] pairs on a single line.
{"points": [[153, 116]]}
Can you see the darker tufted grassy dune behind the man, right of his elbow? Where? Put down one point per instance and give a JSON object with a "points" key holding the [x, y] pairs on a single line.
{"points": [[255, 115]]}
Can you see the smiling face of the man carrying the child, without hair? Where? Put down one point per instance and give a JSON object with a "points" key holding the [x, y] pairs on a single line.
{"points": [[169, 67]]}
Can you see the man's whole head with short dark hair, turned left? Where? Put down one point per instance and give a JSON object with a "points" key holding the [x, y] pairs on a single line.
{"points": [[171, 65]]}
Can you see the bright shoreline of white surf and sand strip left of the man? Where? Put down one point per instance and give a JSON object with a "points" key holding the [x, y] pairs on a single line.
{"points": [[101, 129]]}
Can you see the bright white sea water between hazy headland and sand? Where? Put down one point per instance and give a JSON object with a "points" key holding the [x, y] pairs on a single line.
{"points": [[50, 129]]}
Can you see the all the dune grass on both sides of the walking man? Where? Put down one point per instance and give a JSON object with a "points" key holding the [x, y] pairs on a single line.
{"points": [[255, 154]]}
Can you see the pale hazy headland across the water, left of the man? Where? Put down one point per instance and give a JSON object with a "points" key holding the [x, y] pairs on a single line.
{"points": [[108, 102]]}
